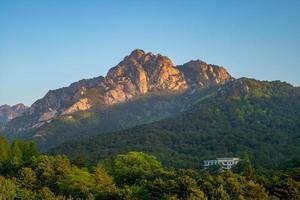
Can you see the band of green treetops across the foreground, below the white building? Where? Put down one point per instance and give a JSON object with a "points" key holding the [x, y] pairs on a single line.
{"points": [[25, 174]]}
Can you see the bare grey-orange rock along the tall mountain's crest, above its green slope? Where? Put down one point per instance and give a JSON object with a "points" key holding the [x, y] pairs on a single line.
{"points": [[137, 74]]}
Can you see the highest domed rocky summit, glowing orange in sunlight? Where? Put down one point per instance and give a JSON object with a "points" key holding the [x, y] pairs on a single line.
{"points": [[140, 73]]}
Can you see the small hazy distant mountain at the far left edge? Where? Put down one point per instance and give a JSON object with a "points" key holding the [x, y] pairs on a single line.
{"points": [[7, 113]]}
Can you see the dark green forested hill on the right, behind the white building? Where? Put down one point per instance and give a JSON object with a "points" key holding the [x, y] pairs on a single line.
{"points": [[243, 117]]}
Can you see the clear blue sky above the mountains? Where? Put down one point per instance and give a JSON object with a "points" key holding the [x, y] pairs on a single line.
{"points": [[48, 44]]}
